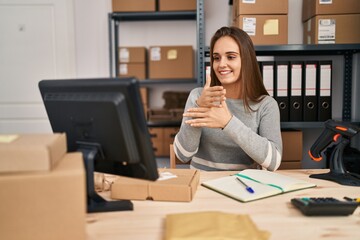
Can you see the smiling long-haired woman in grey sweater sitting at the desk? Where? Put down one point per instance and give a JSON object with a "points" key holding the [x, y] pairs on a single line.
{"points": [[231, 123]]}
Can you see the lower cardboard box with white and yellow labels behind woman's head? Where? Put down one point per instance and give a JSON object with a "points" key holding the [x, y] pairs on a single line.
{"points": [[265, 29]]}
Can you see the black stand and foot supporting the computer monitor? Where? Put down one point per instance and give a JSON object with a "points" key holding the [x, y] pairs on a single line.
{"points": [[95, 203]]}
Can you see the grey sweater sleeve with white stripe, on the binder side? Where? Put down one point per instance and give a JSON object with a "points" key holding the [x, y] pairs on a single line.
{"points": [[264, 146]]}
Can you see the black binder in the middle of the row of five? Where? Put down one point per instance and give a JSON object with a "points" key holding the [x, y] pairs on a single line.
{"points": [[295, 84]]}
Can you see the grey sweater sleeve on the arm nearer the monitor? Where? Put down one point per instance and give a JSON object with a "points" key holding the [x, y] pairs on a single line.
{"points": [[186, 141]]}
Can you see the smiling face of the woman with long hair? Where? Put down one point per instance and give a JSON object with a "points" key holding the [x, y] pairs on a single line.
{"points": [[226, 60]]}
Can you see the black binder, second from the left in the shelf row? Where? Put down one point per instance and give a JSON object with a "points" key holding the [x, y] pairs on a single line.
{"points": [[282, 89]]}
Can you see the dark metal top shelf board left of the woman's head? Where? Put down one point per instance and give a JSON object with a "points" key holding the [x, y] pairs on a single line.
{"points": [[146, 16]]}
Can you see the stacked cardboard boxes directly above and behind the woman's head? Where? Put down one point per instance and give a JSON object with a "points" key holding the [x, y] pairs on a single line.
{"points": [[266, 22]]}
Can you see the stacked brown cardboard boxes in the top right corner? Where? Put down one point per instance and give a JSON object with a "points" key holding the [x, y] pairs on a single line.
{"points": [[331, 21]]}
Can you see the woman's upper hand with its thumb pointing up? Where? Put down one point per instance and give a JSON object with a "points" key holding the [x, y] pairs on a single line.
{"points": [[211, 96]]}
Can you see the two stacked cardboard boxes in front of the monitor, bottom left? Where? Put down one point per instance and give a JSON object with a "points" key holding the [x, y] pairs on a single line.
{"points": [[42, 188]]}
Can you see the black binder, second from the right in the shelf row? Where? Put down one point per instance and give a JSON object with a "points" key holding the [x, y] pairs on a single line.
{"points": [[310, 105]]}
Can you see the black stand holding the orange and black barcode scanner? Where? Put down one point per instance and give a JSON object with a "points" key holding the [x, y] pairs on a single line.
{"points": [[337, 171]]}
